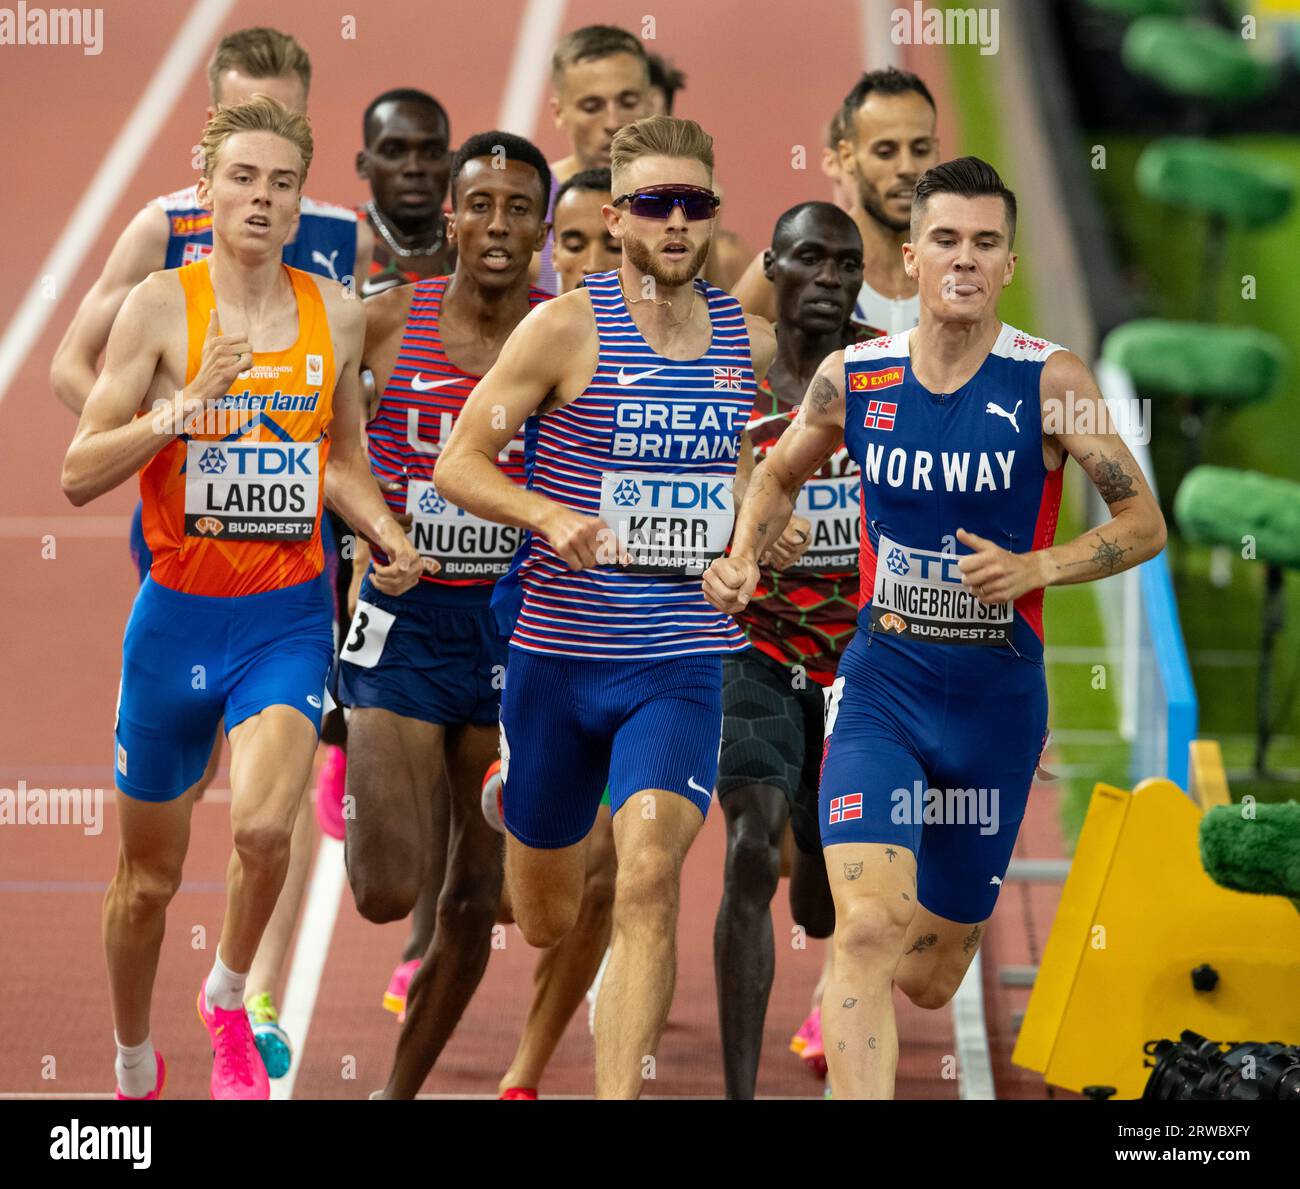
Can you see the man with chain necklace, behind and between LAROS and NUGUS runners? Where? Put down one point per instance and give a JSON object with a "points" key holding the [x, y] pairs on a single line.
{"points": [[408, 163]]}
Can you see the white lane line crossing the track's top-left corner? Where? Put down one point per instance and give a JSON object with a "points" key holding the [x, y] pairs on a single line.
{"points": [[116, 171]]}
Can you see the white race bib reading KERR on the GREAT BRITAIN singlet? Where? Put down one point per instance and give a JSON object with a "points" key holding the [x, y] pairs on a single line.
{"points": [[671, 524]]}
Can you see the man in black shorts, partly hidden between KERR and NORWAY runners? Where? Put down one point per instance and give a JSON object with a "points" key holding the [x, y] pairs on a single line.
{"points": [[800, 622]]}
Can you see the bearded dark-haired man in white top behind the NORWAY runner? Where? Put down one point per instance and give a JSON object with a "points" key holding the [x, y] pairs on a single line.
{"points": [[889, 142]]}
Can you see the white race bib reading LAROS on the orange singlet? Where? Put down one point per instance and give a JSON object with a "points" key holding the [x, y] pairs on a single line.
{"points": [[252, 491]]}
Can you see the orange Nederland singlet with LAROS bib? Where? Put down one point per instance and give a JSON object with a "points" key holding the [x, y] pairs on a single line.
{"points": [[236, 511]]}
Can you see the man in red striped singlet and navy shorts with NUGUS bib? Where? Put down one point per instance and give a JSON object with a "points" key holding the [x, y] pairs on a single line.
{"points": [[423, 672]]}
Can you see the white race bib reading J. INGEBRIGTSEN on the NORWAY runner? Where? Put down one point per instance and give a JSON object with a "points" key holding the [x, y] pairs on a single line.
{"points": [[920, 596]]}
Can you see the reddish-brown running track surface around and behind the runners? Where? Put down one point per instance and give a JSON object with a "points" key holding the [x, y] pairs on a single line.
{"points": [[64, 614]]}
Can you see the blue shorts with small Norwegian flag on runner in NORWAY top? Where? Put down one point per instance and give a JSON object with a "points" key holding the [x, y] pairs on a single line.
{"points": [[934, 753]]}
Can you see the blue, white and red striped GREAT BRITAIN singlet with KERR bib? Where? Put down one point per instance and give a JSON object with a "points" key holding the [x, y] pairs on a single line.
{"points": [[651, 446]]}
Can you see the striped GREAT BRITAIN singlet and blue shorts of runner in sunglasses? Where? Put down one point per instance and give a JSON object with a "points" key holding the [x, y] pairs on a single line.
{"points": [[627, 661]]}
